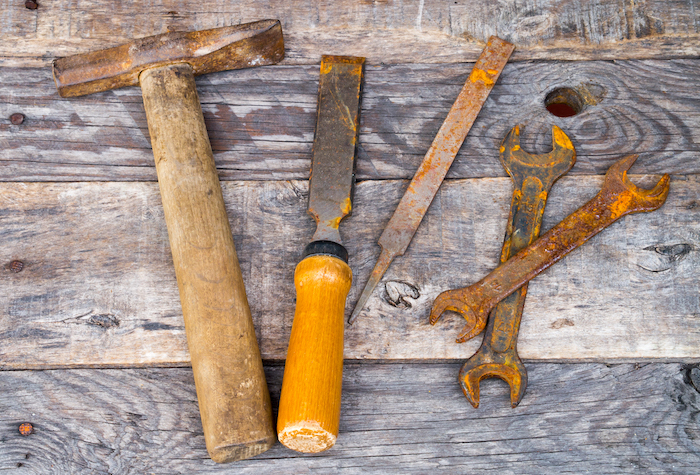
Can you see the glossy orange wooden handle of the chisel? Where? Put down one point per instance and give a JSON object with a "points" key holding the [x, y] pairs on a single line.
{"points": [[309, 412]]}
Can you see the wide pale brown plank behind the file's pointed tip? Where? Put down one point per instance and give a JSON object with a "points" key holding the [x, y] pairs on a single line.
{"points": [[98, 288]]}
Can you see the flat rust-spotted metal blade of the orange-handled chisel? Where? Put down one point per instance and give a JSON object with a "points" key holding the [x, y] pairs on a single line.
{"points": [[337, 127]]}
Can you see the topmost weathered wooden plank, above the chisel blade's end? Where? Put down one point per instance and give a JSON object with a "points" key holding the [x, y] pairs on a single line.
{"points": [[435, 31]]}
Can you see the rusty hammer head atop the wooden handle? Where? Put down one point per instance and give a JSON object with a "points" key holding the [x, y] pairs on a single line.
{"points": [[220, 49]]}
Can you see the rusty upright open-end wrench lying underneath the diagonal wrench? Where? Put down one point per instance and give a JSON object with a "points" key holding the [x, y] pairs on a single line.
{"points": [[533, 176]]}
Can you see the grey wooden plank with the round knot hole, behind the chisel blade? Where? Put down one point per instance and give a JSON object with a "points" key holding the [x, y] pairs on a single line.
{"points": [[261, 121]]}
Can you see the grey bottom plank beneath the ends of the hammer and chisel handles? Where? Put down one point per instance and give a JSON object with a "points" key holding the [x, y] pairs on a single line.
{"points": [[576, 418]]}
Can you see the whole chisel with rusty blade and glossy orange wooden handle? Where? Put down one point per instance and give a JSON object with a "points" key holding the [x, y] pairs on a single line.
{"points": [[309, 412]]}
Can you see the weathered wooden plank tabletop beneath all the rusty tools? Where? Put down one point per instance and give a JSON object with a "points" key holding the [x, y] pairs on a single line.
{"points": [[92, 341]]}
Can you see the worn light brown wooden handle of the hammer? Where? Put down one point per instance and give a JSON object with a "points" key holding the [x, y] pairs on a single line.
{"points": [[234, 402]]}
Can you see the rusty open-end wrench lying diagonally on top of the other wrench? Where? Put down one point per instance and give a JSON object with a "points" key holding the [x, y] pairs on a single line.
{"points": [[617, 198]]}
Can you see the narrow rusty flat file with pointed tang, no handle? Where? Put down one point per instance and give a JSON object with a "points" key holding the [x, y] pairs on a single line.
{"points": [[431, 172]]}
